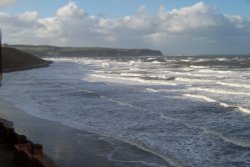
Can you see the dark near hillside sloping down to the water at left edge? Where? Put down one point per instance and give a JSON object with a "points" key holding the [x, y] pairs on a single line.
{"points": [[16, 60]]}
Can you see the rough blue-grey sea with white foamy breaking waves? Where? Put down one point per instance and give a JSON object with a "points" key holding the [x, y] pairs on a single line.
{"points": [[191, 111]]}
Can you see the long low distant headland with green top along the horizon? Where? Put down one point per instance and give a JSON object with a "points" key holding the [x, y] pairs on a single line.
{"points": [[51, 51]]}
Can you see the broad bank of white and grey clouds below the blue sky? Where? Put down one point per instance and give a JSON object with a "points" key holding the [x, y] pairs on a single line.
{"points": [[192, 29]]}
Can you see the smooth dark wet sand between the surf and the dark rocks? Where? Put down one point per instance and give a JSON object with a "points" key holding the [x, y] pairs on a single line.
{"points": [[71, 147]]}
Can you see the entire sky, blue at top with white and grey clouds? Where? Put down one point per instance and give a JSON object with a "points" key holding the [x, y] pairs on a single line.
{"points": [[172, 26]]}
